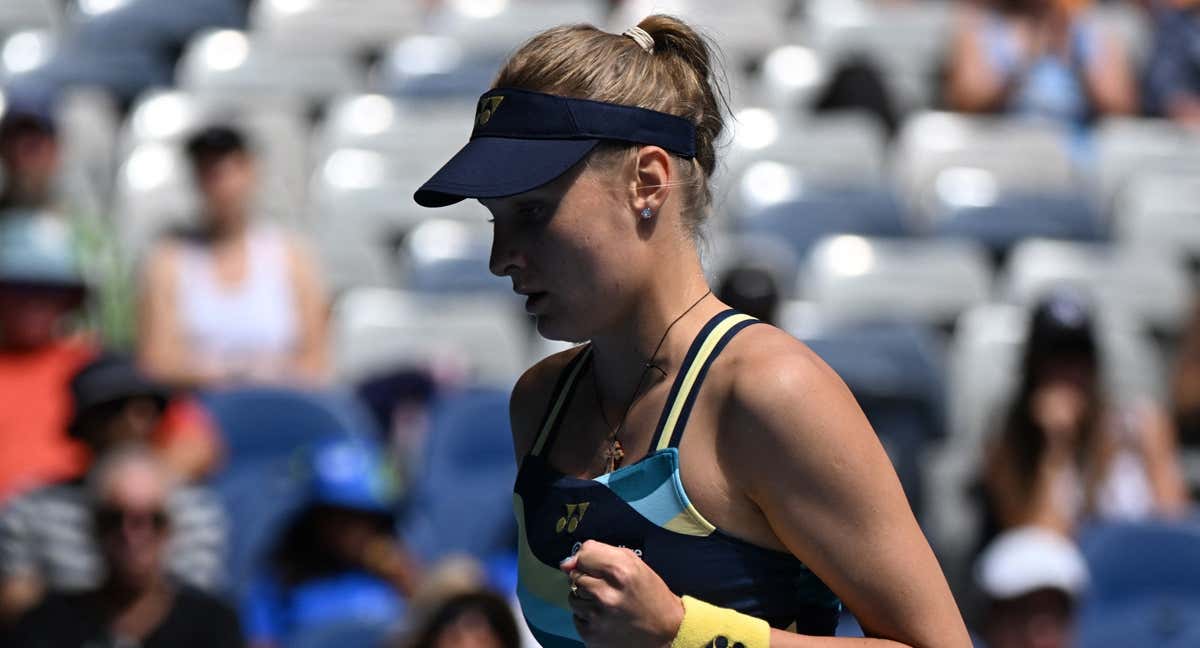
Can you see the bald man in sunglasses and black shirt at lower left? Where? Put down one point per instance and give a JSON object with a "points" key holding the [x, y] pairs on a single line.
{"points": [[137, 604]]}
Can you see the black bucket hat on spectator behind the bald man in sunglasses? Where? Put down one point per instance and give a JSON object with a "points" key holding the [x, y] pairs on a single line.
{"points": [[110, 379]]}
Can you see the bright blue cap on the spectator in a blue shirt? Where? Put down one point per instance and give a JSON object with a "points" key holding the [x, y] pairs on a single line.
{"points": [[353, 475]]}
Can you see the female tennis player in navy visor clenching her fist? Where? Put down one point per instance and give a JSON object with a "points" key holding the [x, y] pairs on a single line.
{"points": [[689, 478]]}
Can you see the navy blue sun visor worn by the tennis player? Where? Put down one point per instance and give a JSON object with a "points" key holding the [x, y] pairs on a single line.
{"points": [[525, 140]]}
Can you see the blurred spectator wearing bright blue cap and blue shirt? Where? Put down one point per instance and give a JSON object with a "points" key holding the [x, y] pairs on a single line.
{"points": [[339, 560]]}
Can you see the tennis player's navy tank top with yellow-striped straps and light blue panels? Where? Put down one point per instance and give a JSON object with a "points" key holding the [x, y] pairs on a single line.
{"points": [[644, 507]]}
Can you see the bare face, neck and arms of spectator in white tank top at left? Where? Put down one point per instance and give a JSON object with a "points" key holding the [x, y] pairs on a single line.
{"points": [[227, 187]]}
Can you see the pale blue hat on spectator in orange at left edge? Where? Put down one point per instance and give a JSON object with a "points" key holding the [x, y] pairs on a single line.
{"points": [[38, 250]]}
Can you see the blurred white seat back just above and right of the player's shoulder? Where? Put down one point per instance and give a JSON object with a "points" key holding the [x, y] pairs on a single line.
{"points": [[872, 278]]}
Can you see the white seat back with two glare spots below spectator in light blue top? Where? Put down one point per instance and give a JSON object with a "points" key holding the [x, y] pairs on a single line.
{"points": [[944, 158]]}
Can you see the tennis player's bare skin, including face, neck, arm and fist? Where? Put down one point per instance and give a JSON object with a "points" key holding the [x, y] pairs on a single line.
{"points": [[777, 452]]}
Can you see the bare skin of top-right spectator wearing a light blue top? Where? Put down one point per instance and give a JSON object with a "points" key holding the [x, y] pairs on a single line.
{"points": [[1042, 28]]}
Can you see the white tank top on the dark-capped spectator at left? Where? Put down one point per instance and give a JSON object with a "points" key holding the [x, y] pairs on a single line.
{"points": [[251, 327]]}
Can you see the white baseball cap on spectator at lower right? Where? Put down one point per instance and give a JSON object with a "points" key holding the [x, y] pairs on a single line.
{"points": [[1028, 560]]}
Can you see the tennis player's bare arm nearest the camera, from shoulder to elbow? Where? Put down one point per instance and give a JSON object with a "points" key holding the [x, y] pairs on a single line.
{"points": [[830, 494]]}
